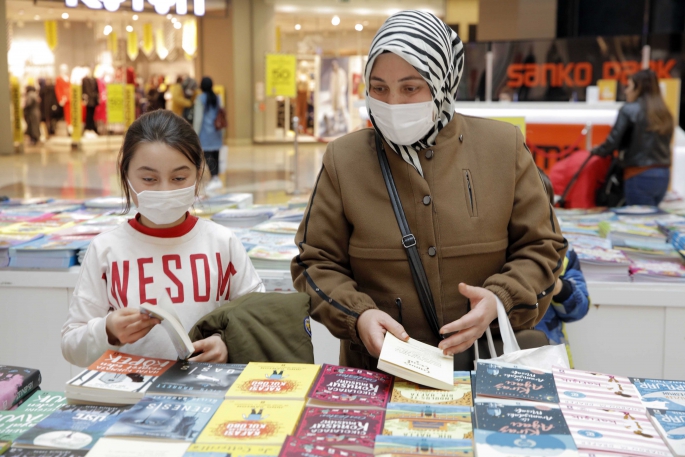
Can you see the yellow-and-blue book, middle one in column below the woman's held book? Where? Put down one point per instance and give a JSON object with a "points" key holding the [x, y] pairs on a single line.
{"points": [[428, 421]]}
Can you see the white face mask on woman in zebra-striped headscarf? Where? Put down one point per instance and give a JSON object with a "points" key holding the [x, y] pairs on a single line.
{"points": [[403, 124]]}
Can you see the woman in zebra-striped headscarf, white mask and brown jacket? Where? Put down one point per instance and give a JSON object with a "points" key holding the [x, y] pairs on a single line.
{"points": [[474, 202]]}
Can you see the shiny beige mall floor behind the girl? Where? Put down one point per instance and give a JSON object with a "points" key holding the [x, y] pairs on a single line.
{"points": [[54, 170]]}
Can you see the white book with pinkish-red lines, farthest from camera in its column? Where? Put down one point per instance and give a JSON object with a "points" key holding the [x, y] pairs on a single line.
{"points": [[587, 389]]}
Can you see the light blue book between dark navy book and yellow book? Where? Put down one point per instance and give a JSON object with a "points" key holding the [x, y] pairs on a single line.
{"points": [[166, 417]]}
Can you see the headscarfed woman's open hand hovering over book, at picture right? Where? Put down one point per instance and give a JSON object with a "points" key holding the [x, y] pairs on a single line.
{"points": [[472, 325]]}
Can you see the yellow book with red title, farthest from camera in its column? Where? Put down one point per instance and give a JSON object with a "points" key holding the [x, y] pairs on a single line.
{"points": [[274, 380]]}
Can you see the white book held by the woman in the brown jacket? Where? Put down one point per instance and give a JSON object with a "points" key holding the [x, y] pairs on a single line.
{"points": [[417, 362]]}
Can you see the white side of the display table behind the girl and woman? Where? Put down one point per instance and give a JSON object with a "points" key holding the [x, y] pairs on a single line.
{"points": [[634, 329]]}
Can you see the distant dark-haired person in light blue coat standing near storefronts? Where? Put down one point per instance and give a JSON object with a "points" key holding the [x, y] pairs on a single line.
{"points": [[207, 106]]}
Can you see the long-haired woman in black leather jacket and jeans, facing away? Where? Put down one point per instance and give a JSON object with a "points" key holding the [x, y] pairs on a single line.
{"points": [[642, 133]]}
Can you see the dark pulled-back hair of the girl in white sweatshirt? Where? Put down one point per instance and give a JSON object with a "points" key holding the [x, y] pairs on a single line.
{"points": [[164, 127]]}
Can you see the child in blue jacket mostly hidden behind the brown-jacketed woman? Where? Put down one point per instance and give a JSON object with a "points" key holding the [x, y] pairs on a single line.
{"points": [[570, 298]]}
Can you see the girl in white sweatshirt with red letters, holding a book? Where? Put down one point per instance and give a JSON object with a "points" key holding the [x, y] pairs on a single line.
{"points": [[164, 249]]}
